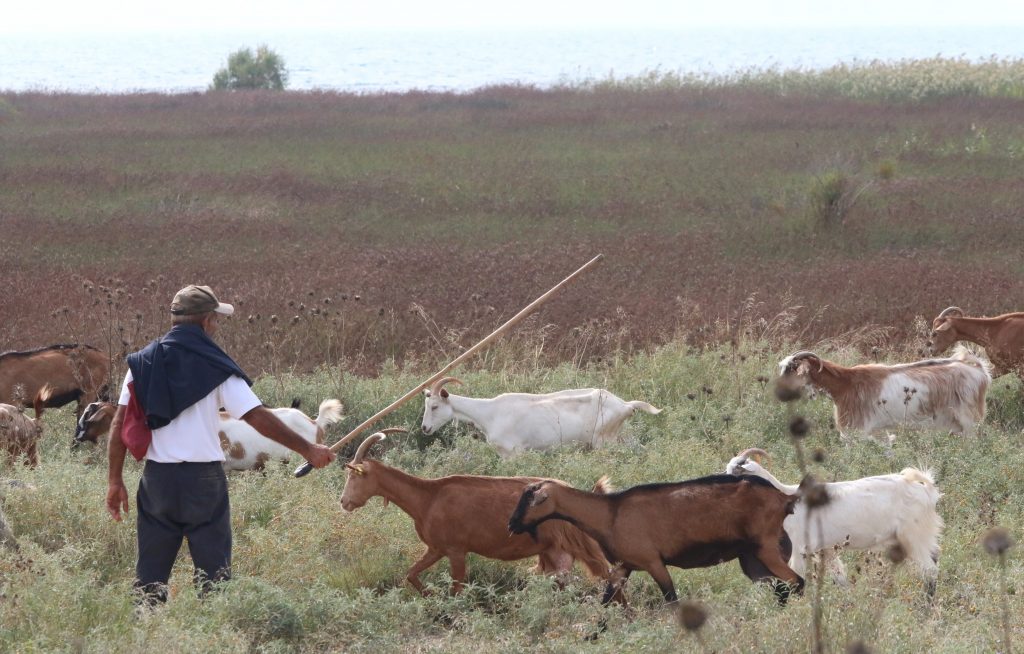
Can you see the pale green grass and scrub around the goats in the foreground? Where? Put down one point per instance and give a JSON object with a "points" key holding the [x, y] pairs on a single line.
{"points": [[312, 579]]}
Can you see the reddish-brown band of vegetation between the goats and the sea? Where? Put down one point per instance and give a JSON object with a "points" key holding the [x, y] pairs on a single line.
{"points": [[363, 229]]}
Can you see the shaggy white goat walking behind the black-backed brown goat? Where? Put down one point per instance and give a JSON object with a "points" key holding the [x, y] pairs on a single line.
{"points": [[873, 513]]}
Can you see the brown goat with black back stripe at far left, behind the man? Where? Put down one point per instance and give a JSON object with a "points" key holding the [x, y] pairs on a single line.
{"points": [[76, 373]]}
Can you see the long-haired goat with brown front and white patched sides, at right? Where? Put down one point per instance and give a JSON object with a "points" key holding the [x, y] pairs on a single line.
{"points": [[948, 395]]}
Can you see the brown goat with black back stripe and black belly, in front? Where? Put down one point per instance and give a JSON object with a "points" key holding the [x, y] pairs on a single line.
{"points": [[688, 525]]}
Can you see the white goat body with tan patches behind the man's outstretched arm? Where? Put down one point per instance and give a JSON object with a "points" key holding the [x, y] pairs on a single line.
{"points": [[245, 449]]}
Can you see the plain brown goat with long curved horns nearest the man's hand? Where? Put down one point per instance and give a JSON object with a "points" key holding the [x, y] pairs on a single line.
{"points": [[462, 514]]}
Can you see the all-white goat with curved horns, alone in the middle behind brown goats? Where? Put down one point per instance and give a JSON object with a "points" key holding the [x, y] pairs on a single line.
{"points": [[525, 421]]}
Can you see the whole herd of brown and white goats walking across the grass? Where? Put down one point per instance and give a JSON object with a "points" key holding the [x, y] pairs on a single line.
{"points": [[746, 514]]}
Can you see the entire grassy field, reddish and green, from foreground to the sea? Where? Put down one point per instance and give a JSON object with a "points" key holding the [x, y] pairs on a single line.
{"points": [[366, 240]]}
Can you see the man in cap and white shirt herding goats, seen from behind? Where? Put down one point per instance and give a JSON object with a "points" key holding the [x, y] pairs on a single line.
{"points": [[176, 387]]}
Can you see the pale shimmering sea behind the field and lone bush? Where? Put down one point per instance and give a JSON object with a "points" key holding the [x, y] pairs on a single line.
{"points": [[374, 62]]}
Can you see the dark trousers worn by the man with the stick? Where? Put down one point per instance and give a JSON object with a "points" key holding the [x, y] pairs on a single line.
{"points": [[179, 501]]}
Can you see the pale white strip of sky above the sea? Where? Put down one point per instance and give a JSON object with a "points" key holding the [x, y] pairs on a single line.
{"points": [[29, 18]]}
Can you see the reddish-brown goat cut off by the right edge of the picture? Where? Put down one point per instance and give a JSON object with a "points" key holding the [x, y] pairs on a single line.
{"points": [[1003, 338]]}
